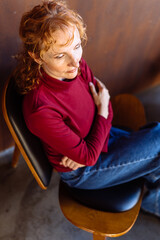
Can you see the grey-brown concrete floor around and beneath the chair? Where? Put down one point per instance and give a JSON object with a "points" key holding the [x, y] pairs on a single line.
{"points": [[29, 213]]}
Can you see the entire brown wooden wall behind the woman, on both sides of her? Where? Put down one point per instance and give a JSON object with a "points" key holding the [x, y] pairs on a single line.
{"points": [[123, 47]]}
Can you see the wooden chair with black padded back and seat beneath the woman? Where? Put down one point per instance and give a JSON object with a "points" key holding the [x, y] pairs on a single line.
{"points": [[100, 222]]}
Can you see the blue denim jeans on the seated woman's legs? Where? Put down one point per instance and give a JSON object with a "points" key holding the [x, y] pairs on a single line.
{"points": [[130, 155]]}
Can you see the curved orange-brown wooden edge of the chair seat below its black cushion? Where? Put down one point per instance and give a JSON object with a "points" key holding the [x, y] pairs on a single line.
{"points": [[94, 221]]}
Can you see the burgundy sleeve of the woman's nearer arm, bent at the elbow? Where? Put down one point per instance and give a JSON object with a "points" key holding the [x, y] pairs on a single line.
{"points": [[52, 130]]}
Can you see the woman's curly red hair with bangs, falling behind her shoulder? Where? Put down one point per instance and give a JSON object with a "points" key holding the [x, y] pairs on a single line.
{"points": [[36, 28]]}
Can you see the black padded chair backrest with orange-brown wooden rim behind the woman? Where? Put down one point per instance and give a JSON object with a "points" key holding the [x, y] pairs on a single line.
{"points": [[28, 144]]}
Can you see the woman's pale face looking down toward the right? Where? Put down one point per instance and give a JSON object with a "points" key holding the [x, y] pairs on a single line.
{"points": [[62, 61]]}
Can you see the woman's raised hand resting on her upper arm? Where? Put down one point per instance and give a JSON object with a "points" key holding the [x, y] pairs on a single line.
{"points": [[101, 98]]}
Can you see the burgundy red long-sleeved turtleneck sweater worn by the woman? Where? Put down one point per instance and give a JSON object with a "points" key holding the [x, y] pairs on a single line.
{"points": [[63, 115]]}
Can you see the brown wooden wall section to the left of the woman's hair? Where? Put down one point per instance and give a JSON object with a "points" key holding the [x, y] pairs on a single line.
{"points": [[10, 14]]}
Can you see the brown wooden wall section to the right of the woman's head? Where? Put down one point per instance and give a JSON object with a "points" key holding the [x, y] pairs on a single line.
{"points": [[123, 48]]}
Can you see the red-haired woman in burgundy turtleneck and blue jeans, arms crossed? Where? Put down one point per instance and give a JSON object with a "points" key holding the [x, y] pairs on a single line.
{"points": [[70, 111]]}
